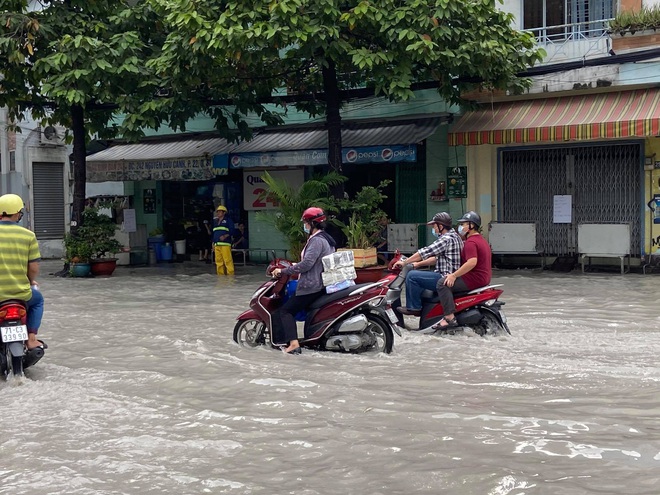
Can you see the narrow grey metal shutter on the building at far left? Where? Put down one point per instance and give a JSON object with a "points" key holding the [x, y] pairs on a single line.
{"points": [[48, 191]]}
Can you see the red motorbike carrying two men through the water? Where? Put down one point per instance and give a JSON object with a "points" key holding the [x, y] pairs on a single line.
{"points": [[479, 310]]}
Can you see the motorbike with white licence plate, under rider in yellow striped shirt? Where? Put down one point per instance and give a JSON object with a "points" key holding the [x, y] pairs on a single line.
{"points": [[14, 355]]}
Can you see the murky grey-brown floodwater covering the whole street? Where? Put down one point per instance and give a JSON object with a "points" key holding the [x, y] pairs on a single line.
{"points": [[143, 392]]}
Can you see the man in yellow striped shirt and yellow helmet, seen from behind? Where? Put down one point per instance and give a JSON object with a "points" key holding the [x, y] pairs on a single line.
{"points": [[19, 264]]}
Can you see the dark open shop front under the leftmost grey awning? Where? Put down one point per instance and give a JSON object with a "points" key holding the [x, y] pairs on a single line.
{"points": [[167, 196]]}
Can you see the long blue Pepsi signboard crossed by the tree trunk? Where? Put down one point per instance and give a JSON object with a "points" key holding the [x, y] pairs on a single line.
{"points": [[359, 155]]}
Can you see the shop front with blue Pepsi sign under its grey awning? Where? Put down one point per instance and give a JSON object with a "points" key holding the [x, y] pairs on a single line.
{"points": [[372, 152]]}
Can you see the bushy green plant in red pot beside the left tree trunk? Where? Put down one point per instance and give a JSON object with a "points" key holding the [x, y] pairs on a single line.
{"points": [[94, 242]]}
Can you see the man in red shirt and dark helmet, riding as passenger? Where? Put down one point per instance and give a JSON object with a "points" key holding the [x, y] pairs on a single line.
{"points": [[475, 270]]}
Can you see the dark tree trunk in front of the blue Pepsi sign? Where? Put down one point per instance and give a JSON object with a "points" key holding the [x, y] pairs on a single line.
{"points": [[333, 122]]}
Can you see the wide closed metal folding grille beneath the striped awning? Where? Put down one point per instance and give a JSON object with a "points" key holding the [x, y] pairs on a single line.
{"points": [[604, 182]]}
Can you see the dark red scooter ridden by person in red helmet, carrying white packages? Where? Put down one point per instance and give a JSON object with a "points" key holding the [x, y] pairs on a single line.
{"points": [[352, 320]]}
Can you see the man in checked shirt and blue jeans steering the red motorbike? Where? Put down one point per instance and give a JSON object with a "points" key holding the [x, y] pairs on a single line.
{"points": [[446, 250]]}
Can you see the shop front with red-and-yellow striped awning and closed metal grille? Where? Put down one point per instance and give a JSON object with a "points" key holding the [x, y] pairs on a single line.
{"points": [[593, 154]]}
